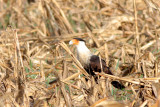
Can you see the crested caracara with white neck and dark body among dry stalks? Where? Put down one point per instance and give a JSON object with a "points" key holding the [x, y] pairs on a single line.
{"points": [[90, 62]]}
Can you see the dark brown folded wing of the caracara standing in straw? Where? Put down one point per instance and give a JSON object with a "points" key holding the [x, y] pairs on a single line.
{"points": [[96, 65]]}
